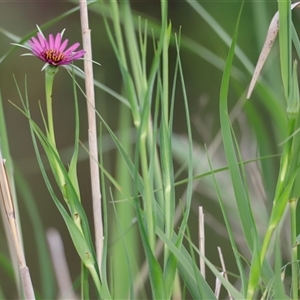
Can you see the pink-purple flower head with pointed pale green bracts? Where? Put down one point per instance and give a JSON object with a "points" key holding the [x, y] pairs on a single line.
{"points": [[53, 50]]}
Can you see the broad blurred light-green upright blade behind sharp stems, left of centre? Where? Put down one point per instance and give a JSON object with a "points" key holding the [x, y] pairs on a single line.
{"points": [[124, 251]]}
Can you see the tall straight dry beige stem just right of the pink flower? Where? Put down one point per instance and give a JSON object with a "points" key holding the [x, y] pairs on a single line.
{"points": [[92, 131]]}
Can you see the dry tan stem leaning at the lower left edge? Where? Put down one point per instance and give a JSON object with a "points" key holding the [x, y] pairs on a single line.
{"points": [[7, 207]]}
